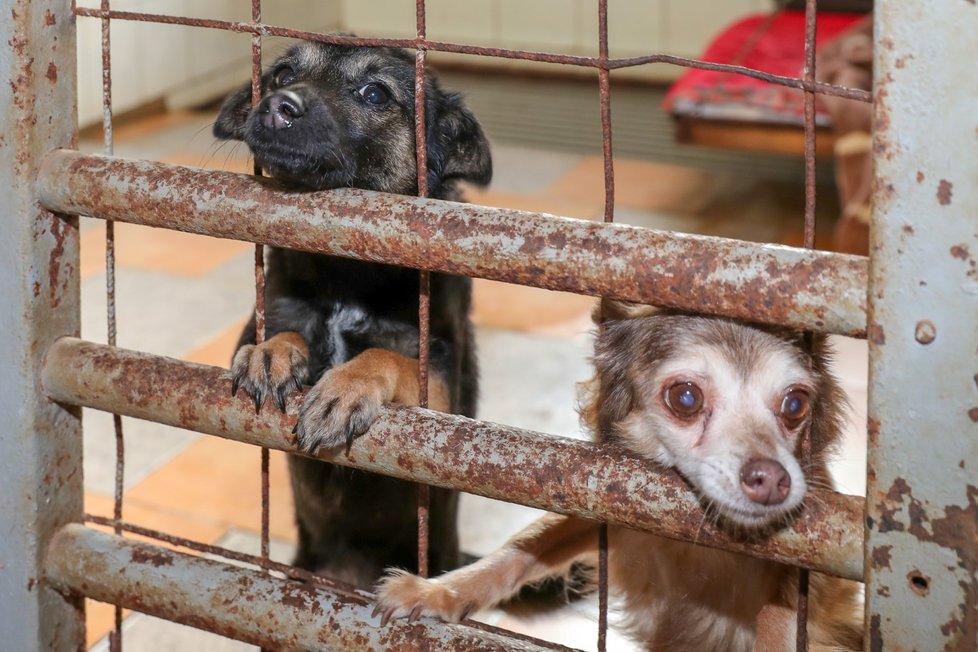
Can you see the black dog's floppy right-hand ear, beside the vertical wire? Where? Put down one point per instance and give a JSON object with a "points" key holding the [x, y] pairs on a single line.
{"points": [[457, 148]]}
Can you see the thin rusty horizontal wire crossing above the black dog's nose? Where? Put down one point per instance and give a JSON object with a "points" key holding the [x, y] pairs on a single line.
{"points": [[456, 48]]}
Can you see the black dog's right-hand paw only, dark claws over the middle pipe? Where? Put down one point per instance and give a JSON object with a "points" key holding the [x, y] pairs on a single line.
{"points": [[339, 408]]}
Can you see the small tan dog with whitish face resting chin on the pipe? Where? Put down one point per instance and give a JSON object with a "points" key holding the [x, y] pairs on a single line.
{"points": [[726, 404]]}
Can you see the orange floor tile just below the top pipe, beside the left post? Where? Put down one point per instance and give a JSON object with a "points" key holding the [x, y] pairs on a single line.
{"points": [[160, 250]]}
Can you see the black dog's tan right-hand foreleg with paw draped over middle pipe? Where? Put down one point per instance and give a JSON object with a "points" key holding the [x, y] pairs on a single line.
{"points": [[347, 399]]}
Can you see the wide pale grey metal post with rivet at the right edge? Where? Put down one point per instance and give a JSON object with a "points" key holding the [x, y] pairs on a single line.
{"points": [[921, 550]]}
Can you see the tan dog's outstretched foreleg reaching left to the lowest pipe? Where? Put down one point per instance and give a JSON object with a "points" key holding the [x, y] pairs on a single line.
{"points": [[546, 548]]}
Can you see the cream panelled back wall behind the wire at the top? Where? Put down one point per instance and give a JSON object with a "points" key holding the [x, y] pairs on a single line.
{"points": [[187, 65]]}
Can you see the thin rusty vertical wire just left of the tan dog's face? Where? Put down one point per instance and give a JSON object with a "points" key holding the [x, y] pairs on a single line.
{"points": [[604, 94]]}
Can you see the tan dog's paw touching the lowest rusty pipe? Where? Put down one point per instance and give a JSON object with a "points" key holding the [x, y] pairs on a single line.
{"points": [[403, 594]]}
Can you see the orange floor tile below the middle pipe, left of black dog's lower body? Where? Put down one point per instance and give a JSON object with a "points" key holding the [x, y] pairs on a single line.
{"points": [[217, 481]]}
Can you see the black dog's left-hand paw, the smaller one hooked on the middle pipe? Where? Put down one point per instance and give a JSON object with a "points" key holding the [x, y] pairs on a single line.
{"points": [[274, 368]]}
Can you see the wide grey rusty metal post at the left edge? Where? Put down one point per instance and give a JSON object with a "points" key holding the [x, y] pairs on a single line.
{"points": [[40, 442]]}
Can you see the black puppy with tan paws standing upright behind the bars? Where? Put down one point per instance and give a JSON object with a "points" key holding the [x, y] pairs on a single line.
{"points": [[336, 116]]}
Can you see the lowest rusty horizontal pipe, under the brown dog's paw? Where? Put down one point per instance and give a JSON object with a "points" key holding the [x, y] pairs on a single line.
{"points": [[242, 603]]}
